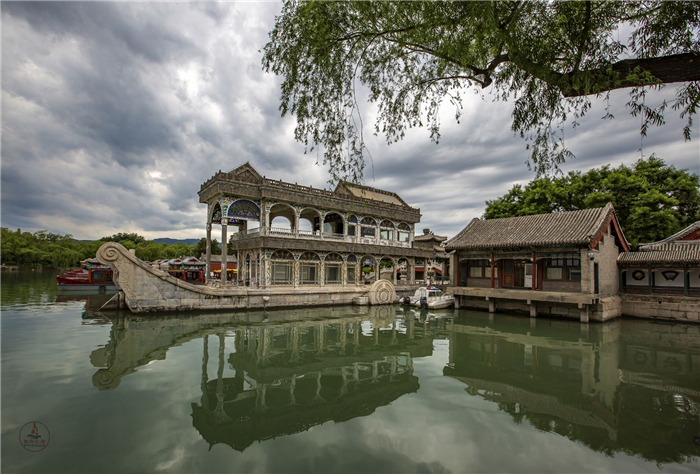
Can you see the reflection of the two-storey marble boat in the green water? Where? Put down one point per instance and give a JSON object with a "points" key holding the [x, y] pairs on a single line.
{"points": [[289, 376]]}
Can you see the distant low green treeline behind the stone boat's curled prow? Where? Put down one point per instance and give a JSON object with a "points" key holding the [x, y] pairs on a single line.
{"points": [[60, 251]]}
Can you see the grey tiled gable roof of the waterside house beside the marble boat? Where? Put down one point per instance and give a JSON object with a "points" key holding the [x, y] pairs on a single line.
{"points": [[541, 230]]}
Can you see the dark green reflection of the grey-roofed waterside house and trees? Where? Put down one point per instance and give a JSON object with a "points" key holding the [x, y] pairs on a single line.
{"points": [[624, 386]]}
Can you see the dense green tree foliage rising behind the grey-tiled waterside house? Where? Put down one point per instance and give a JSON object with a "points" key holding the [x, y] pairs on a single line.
{"points": [[652, 200]]}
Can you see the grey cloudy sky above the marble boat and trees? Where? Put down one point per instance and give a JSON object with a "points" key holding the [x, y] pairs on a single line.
{"points": [[113, 114]]}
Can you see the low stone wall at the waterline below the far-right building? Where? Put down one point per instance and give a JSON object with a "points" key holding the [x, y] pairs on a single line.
{"points": [[674, 308]]}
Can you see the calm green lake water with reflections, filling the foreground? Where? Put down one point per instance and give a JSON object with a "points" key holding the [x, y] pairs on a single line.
{"points": [[352, 389]]}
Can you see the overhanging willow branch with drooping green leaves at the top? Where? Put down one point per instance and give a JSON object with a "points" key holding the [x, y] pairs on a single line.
{"points": [[549, 58]]}
